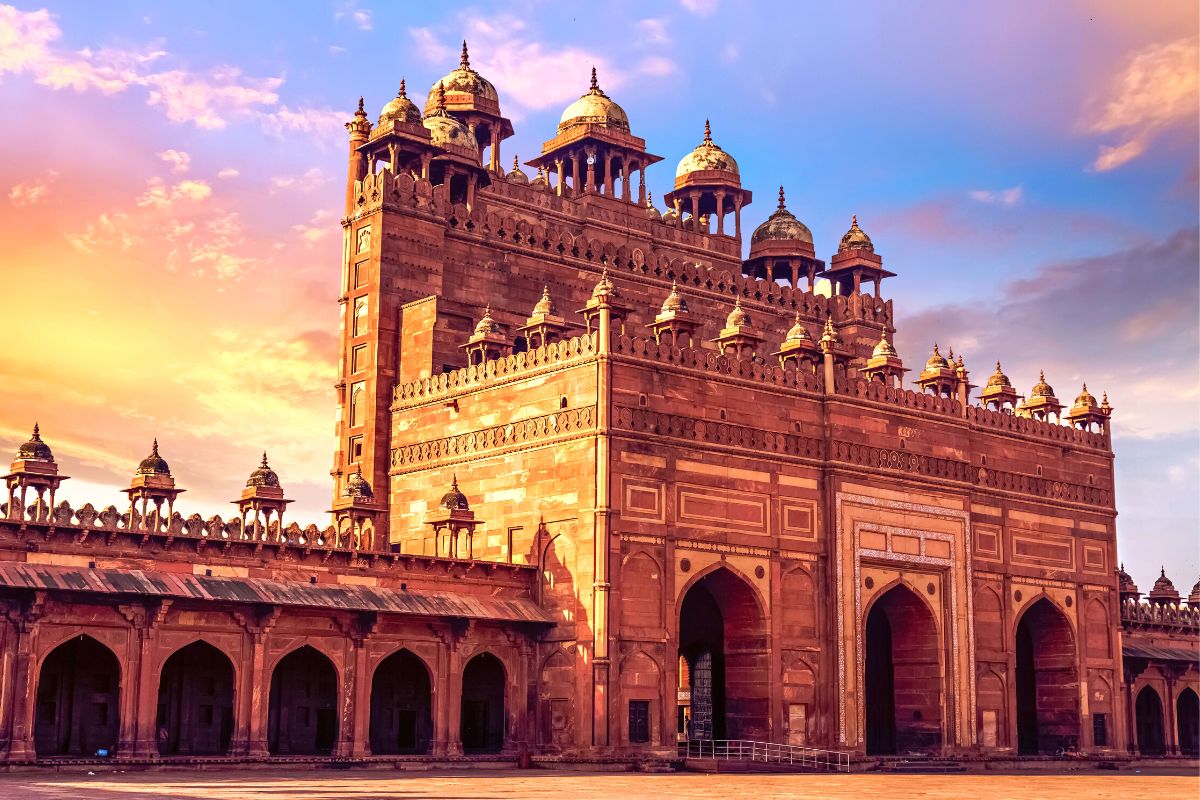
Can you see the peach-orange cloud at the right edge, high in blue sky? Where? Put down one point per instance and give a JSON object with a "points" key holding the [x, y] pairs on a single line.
{"points": [[1156, 89]]}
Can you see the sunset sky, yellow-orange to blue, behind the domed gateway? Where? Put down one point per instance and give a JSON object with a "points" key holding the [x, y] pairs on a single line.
{"points": [[171, 179]]}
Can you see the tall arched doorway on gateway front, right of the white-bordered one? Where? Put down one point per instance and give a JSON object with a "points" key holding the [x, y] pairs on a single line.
{"points": [[1047, 682]]}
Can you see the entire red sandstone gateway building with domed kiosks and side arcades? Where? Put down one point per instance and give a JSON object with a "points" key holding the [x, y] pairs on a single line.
{"points": [[602, 485]]}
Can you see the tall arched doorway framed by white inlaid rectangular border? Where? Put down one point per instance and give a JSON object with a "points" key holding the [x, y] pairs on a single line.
{"points": [[903, 676]]}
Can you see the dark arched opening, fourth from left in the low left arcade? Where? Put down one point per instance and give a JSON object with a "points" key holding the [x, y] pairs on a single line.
{"points": [[401, 707]]}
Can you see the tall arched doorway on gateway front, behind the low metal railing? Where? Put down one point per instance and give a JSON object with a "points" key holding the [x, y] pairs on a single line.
{"points": [[723, 637]]}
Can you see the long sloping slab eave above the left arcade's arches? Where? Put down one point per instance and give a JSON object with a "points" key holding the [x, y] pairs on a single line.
{"points": [[266, 591]]}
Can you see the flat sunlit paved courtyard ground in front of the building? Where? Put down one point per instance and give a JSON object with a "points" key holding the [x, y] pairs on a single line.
{"points": [[244, 785]]}
